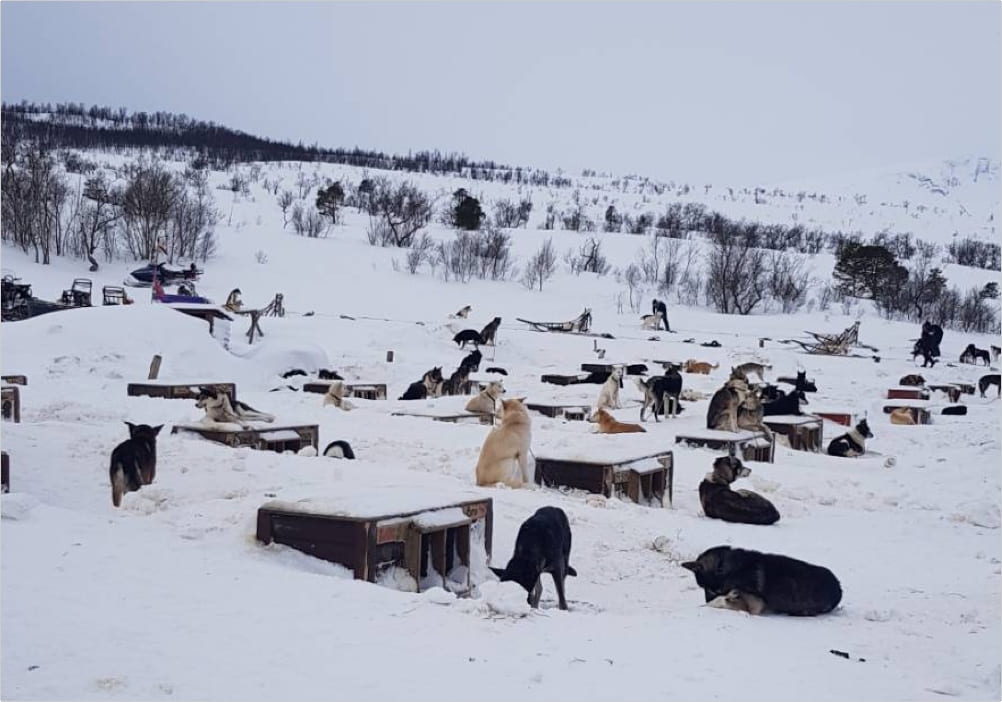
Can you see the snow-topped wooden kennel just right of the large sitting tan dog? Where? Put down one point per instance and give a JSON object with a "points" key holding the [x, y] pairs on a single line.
{"points": [[643, 479]]}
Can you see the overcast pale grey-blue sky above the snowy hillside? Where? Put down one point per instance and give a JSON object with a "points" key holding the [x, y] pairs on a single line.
{"points": [[709, 92]]}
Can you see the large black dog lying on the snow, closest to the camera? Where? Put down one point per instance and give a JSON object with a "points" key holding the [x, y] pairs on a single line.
{"points": [[755, 582]]}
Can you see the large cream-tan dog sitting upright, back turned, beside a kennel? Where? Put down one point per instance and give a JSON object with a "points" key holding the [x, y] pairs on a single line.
{"points": [[505, 457]]}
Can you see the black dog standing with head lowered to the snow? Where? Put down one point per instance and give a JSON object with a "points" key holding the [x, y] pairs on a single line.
{"points": [[543, 546]]}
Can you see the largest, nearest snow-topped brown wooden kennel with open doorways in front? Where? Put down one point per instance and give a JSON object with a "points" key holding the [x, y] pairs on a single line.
{"points": [[368, 544]]}
